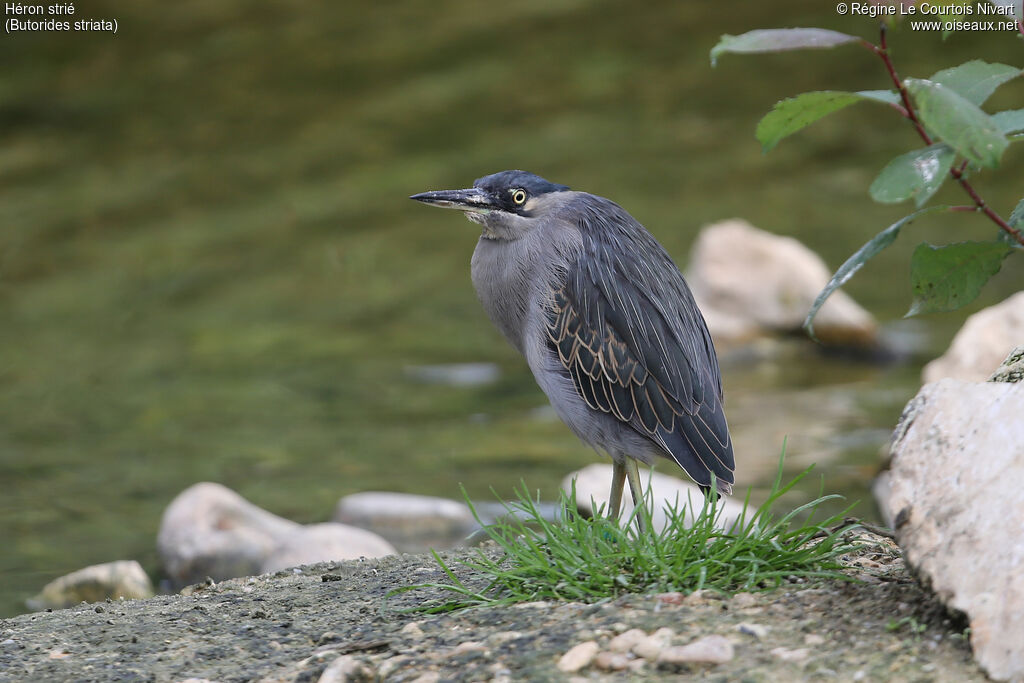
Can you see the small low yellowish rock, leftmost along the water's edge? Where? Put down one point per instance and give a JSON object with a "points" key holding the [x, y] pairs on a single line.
{"points": [[124, 579]]}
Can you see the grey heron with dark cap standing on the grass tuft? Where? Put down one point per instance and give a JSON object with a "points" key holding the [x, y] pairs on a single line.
{"points": [[605, 320]]}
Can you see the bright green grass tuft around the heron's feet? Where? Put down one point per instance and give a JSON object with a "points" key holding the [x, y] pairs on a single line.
{"points": [[591, 560]]}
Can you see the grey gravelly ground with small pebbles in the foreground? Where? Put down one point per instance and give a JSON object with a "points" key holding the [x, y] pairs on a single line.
{"points": [[333, 623]]}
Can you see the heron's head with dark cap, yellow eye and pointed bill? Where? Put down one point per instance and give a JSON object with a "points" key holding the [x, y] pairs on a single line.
{"points": [[507, 204]]}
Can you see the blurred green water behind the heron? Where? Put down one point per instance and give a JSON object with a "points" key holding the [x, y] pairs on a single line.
{"points": [[209, 270]]}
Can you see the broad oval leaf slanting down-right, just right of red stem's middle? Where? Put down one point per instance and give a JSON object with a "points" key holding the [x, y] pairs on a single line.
{"points": [[971, 133]]}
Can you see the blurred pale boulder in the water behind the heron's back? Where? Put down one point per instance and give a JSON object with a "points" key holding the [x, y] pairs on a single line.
{"points": [[750, 283]]}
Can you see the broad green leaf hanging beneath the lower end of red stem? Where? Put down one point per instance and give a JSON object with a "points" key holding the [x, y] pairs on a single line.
{"points": [[948, 278]]}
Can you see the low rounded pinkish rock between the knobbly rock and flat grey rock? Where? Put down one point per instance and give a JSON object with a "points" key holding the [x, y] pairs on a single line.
{"points": [[325, 543]]}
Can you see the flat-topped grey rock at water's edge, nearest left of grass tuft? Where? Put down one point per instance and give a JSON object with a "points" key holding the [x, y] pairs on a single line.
{"points": [[413, 524]]}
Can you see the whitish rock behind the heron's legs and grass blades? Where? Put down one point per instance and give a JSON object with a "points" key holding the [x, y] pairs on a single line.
{"points": [[593, 485]]}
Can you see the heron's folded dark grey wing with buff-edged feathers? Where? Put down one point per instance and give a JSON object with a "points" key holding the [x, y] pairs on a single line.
{"points": [[626, 328]]}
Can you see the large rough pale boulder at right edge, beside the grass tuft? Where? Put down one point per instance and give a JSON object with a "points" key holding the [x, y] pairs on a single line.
{"points": [[958, 507]]}
